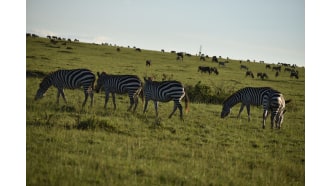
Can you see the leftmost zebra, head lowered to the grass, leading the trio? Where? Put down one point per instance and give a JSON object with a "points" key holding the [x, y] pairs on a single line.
{"points": [[70, 79]]}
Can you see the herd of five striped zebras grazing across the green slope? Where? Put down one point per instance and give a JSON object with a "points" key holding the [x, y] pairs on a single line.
{"points": [[158, 91]]}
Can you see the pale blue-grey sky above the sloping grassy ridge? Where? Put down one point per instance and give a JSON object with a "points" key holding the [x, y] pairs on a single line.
{"points": [[272, 31]]}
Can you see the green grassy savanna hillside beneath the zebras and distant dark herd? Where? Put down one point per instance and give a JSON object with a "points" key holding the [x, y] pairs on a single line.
{"points": [[70, 145]]}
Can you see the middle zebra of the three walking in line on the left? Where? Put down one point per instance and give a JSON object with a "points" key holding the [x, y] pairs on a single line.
{"points": [[120, 84]]}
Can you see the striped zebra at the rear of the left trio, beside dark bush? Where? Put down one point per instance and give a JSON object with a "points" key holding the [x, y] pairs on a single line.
{"points": [[165, 91]]}
